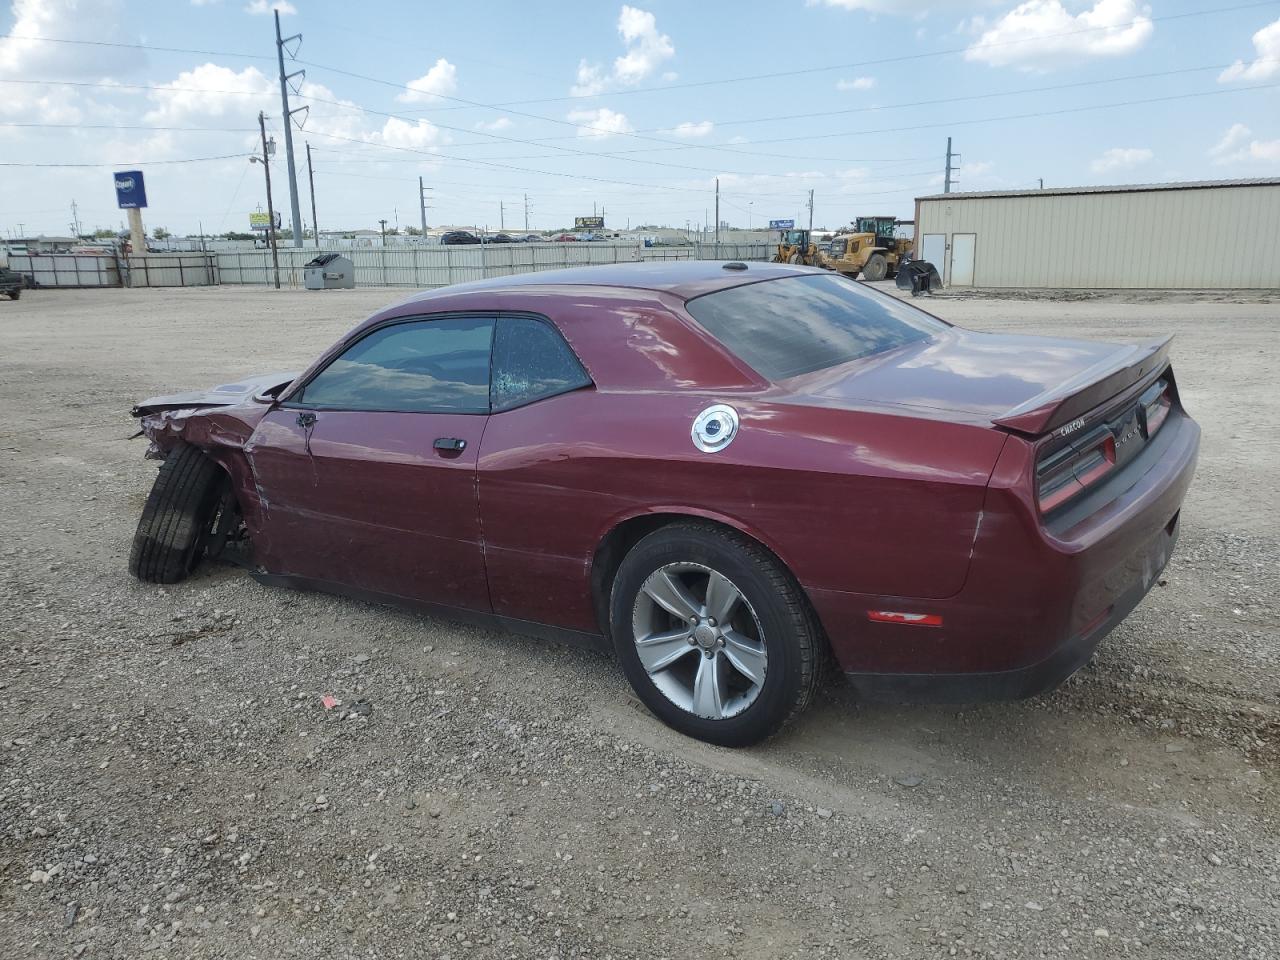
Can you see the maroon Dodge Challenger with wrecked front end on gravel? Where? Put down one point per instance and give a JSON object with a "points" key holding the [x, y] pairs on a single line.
{"points": [[729, 473]]}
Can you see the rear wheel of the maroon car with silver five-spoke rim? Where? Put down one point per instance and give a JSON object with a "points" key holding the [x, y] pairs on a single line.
{"points": [[714, 634]]}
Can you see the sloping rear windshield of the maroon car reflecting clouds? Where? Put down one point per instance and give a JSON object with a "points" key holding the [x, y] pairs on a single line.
{"points": [[799, 324]]}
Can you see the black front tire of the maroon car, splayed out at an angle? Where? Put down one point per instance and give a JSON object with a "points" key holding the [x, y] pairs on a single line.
{"points": [[179, 518]]}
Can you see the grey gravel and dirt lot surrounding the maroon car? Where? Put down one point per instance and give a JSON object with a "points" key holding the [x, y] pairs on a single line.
{"points": [[171, 784]]}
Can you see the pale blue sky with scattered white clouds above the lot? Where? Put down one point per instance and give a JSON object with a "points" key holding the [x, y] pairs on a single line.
{"points": [[633, 108]]}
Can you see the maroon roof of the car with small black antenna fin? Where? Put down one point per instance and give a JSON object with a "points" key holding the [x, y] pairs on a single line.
{"points": [[682, 278]]}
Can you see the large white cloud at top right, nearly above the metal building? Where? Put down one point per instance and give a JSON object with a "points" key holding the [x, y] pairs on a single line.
{"points": [[1040, 34]]}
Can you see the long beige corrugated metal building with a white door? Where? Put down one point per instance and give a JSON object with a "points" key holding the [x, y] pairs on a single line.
{"points": [[1204, 235]]}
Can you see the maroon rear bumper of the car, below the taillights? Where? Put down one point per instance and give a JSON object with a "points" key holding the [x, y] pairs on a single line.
{"points": [[1037, 602]]}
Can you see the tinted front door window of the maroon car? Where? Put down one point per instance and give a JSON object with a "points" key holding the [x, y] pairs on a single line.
{"points": [[417, 368]]}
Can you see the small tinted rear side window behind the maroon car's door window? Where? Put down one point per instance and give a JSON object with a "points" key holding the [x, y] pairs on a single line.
{"points": [[532, 363]]}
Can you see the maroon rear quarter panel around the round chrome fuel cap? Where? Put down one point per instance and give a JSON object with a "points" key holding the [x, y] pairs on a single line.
{"points": [[842, 497]]}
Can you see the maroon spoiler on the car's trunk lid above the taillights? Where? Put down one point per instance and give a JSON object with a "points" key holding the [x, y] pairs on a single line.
{"points": [[1087, 390]]}
